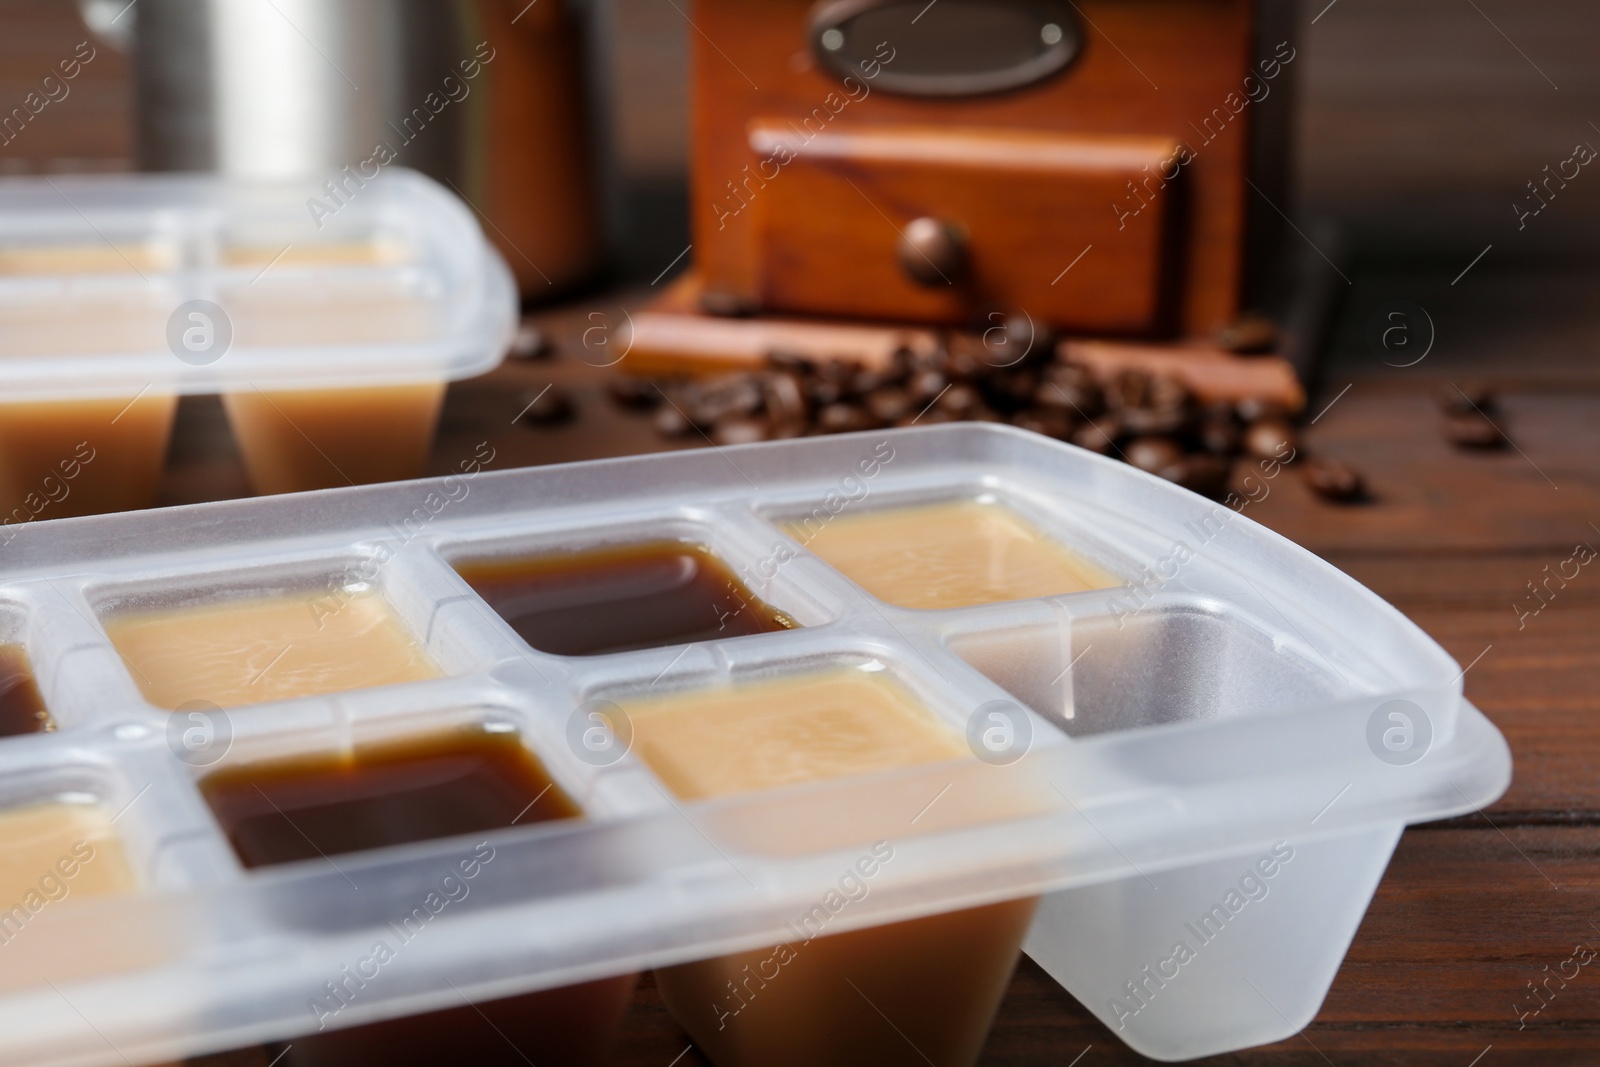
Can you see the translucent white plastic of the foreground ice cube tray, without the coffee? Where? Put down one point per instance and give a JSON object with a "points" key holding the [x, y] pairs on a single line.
{"points": [[1175, 748]]}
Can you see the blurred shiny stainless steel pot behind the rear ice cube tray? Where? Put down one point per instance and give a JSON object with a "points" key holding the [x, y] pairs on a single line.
{"points": [[487, 97]]}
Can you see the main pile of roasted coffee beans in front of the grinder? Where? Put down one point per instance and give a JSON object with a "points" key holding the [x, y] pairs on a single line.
{"points": [[1153, 422]]}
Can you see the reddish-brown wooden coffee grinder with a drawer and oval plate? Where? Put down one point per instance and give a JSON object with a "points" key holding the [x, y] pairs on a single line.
{"points": [[1111, 170]]}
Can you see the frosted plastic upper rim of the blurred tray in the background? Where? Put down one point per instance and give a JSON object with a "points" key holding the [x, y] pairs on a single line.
{"points": [[94, 270]]}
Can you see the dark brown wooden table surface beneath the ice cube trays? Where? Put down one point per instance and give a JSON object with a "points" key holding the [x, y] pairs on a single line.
{"points": [[1471, 909]]}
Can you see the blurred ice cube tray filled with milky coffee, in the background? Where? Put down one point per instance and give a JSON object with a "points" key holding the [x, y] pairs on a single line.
{"points": [[329, 316]]}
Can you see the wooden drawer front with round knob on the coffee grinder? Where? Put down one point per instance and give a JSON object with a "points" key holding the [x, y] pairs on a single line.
{"points": [[946, 225]]}
